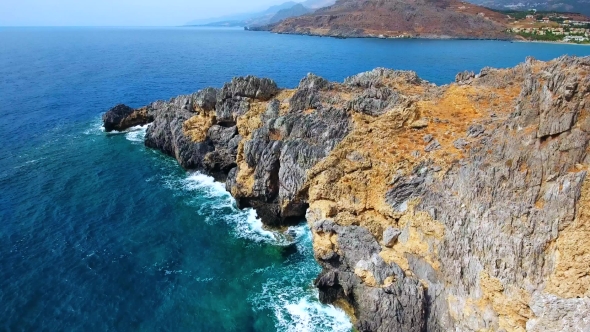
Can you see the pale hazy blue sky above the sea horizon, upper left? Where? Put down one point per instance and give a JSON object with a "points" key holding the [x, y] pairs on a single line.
{"points": [[120, 12]]}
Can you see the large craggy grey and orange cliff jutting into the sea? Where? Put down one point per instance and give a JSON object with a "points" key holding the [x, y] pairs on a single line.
{"points": [[460, 207]]}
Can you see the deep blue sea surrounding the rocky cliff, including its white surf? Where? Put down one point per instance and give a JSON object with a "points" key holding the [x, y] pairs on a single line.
{"points": [[99, 233]]}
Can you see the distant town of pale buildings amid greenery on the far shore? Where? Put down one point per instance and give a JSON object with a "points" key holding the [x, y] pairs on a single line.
{"points": [[553, 27]]}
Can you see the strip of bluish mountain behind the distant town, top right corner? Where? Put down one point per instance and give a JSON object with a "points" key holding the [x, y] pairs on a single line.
{"points": [[576, 6]]}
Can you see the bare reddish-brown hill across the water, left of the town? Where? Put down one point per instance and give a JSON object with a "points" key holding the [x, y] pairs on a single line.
{"points": [[398, 18]]}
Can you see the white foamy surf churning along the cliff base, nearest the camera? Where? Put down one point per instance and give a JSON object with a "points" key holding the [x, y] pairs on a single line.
{"points": [[295, 308]]}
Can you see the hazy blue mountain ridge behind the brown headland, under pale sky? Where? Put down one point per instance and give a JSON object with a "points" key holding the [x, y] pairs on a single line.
{"points": [[271, 15]]}
